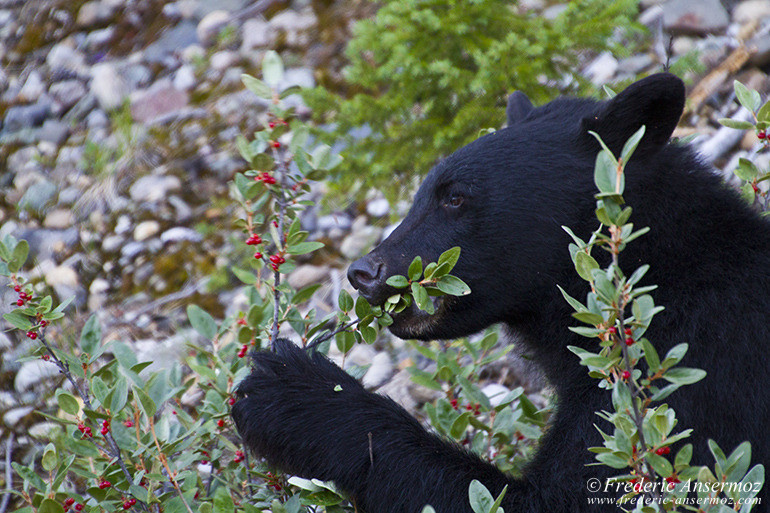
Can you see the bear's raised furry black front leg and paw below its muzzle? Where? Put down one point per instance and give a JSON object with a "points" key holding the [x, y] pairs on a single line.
{"points": [[308, 417]]}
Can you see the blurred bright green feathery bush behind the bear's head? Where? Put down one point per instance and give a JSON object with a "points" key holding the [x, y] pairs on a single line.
{"points": [[427, 75]]}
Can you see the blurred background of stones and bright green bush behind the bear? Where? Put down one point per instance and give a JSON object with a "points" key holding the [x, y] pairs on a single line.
{"points": [[118, 121]]}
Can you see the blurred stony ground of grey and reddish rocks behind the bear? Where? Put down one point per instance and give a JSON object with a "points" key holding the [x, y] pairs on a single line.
{"points": [[118, 121]]}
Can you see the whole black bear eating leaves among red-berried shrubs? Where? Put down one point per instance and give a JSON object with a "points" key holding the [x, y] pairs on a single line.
{"points": [[503, 199]]}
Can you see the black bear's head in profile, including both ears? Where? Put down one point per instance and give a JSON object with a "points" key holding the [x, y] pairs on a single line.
{"points": [[503, 199]]}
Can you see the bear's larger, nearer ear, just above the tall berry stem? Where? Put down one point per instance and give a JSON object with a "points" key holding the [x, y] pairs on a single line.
{"points": [[656, 102]]}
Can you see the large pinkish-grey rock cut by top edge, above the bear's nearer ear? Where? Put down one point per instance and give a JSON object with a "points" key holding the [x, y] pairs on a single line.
{"points": [[699, 18]]}
